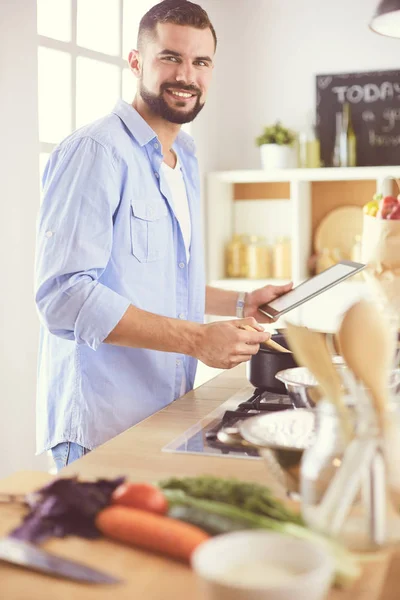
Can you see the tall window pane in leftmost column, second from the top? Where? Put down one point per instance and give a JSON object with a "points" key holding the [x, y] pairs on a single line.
{"points": [[54, 83]]}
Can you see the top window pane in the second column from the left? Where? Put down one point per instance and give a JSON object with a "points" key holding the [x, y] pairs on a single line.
{"points": [[98, 26]]}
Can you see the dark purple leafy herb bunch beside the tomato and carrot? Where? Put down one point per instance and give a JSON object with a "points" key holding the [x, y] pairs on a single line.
{"points": [[64, 507]]}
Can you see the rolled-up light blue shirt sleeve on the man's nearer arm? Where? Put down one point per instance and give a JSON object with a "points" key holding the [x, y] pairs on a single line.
{"points": [[74, 243]]}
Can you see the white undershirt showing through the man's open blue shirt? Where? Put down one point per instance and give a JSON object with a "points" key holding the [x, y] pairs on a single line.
{"points": [[177, 188]]}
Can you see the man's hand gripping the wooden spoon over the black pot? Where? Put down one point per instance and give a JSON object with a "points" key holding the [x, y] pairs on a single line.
{"points": [[225, 344]]}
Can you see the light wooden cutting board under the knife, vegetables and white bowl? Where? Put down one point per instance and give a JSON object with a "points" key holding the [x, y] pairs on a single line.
{"points": [[174, 581]]}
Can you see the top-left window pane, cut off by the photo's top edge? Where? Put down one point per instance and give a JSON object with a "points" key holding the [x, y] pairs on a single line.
{"points": [[54, 19]]}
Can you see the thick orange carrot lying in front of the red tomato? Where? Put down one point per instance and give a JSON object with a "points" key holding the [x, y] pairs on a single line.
{"points": [[149, 531]]}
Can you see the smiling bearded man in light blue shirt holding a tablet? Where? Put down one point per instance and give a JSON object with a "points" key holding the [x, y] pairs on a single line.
{"points": [[119, 278]]}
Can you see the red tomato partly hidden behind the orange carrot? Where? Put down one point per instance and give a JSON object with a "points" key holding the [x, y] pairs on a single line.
{"points": [[140, 495]]}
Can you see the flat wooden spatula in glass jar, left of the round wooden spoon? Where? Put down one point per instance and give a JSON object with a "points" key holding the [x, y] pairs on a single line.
{"points": [[310, 350]]}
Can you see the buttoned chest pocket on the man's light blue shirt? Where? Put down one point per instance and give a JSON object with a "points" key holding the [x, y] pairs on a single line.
{"points": [[150, 230]]}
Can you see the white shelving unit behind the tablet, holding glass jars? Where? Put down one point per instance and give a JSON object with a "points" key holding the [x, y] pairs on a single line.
{"points": [[324, 311]]}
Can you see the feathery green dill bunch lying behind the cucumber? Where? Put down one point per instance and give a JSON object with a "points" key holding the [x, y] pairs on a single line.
{"points": [[250, 496]]}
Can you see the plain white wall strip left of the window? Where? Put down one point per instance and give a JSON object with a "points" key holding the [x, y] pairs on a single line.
{"points": [[19, 193]]}
